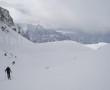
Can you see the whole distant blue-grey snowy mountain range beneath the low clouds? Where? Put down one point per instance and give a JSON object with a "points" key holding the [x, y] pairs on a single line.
{"points": [[37, 33]]}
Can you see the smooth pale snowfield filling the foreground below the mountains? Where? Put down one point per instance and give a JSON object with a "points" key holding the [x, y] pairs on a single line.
{"points": [[53, 66]]}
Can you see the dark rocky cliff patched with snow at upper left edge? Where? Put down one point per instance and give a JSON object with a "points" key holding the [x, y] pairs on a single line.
{"points": [[5, 17]]}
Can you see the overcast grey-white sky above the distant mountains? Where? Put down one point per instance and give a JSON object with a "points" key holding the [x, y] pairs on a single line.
{"points": [[86, 14]]}
